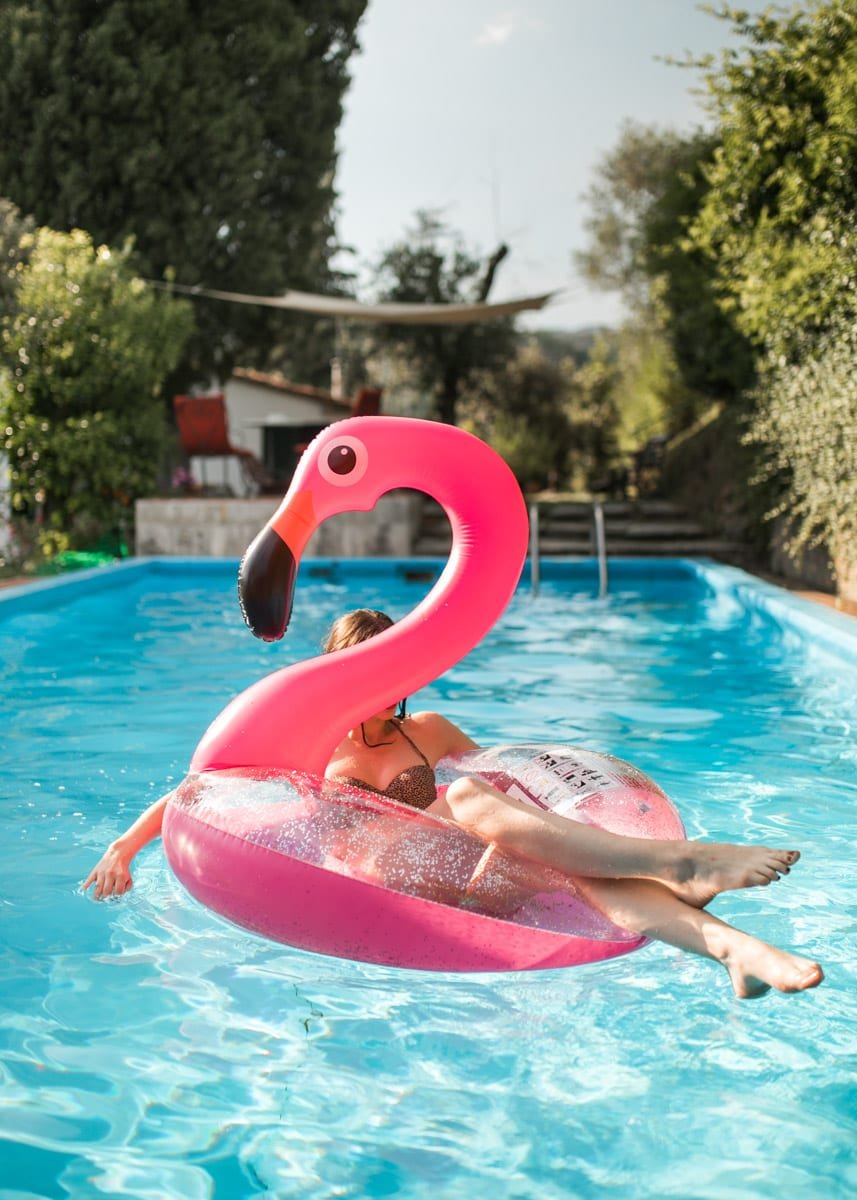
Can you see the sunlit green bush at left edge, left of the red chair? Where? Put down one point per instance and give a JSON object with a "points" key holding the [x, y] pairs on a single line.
{"points": [[85, 357]]}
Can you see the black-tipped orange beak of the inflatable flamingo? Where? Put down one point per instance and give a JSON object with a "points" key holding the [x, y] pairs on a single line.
{"points": [[269, 569]]}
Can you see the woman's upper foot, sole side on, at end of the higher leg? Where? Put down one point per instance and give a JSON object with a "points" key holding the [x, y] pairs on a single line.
{"points": [[697, 872]]}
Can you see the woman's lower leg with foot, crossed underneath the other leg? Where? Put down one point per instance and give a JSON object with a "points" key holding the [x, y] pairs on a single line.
{"points": [[648, 908]]}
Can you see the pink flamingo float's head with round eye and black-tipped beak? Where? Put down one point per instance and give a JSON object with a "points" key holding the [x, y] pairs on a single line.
{"points": [[347, 469]]}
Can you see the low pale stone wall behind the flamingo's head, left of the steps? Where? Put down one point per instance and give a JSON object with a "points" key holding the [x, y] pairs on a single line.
{"points": [[224, 529]]}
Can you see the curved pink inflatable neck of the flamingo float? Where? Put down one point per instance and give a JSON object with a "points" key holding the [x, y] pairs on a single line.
{"points": [[296, 718]]}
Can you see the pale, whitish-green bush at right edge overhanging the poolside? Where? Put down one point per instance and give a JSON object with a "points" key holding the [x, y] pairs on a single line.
{"points": [[806, 428]]}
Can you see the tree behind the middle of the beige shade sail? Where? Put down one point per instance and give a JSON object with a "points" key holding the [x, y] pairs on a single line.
{"points": [[432, 266]]}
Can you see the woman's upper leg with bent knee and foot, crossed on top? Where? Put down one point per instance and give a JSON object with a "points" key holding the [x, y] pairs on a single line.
{"points": [[696, 872]]}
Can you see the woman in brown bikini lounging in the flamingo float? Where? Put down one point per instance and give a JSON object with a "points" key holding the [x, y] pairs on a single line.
{"points": [[660, 890]]}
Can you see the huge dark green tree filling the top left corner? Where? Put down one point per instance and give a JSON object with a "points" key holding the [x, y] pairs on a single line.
{"points": [[206, 133]]}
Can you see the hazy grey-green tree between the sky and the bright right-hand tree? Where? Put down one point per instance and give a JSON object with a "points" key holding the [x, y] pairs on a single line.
{"points": [[649, 189]]}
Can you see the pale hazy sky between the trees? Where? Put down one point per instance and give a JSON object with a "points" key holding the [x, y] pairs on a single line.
{"points": [[498, 116]]}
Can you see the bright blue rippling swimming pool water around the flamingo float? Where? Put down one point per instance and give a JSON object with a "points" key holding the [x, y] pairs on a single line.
{"points": [[152, 1051]]}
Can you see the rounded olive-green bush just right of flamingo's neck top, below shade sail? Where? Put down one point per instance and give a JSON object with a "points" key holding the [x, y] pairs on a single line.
{"points": [[522, 411]]}
